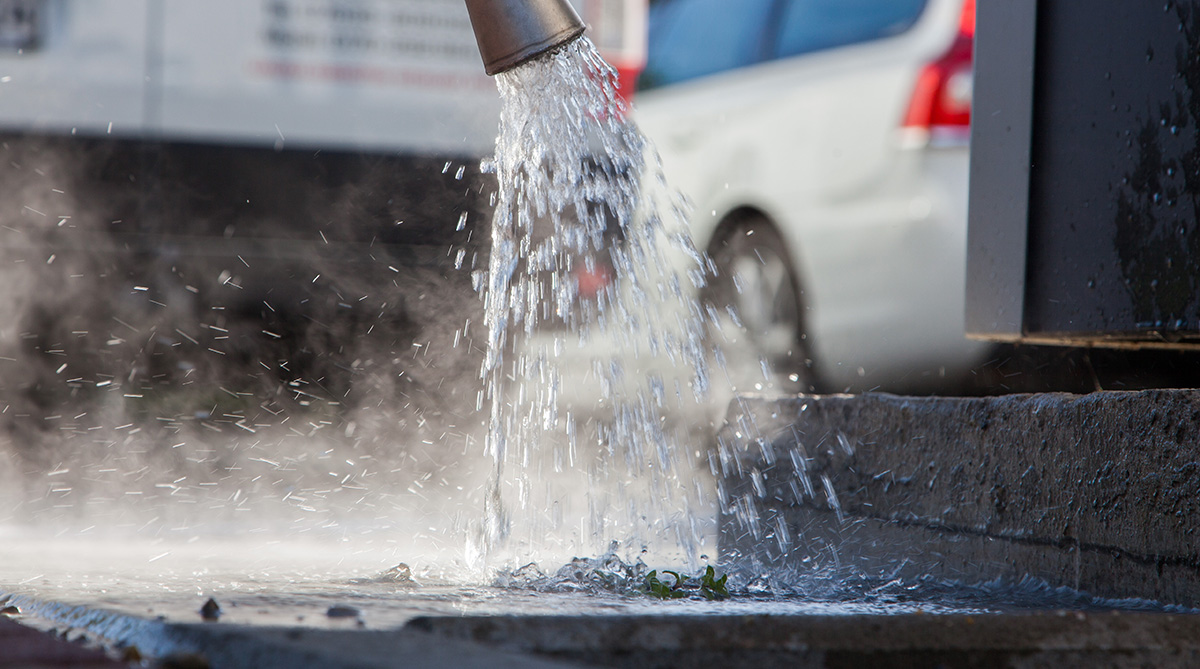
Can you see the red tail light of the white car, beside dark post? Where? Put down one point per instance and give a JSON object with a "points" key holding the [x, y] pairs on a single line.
{"points": [[941, 101]]}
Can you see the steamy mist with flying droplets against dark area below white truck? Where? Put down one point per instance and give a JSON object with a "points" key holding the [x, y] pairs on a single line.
{"points": [[286, 343]]}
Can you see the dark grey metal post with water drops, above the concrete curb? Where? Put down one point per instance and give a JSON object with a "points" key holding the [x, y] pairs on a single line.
{"points": [[1085, 173]]}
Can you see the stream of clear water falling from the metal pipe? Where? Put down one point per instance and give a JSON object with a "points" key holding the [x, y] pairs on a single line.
{"points": [[596, 367]]}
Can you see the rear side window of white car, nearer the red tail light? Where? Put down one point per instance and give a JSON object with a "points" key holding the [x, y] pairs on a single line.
{"points": [[812, 26]]}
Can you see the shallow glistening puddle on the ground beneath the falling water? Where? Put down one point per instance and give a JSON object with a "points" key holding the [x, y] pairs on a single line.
{"points": [[64, 582]]}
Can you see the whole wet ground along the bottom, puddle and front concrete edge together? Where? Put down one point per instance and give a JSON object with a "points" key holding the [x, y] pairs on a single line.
{"points": [[287, 602]]}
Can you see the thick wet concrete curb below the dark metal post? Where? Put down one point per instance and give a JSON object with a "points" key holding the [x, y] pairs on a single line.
{"points": [[1099, 492]]}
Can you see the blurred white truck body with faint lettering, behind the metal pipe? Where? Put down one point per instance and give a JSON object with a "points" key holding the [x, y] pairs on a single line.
{"points": [[364, 75]]}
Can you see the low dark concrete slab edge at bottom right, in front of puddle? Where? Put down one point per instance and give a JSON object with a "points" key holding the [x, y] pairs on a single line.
{"points": [[763, 642]]}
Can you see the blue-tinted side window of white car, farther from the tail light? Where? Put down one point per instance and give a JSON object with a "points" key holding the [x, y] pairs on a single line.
{"points": [[692, 39]]}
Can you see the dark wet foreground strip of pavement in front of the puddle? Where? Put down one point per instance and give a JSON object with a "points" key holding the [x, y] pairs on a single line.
{"points": [[686, 640]]}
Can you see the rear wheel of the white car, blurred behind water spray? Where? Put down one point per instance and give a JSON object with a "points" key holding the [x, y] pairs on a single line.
{"points": [[757, 297]]}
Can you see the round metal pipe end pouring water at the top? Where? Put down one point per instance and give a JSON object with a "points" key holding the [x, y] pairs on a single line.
{"points": [[513, 32]]}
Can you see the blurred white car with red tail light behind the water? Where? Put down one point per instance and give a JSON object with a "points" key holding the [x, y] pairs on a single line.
{"points": [[824, 144]]}
